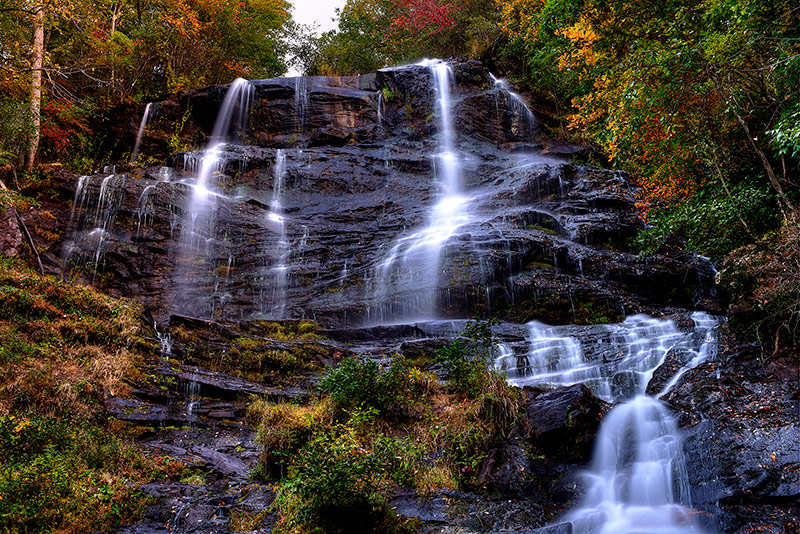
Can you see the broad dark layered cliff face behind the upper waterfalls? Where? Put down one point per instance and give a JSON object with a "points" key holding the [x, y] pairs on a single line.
{"points": [[331, 175]]}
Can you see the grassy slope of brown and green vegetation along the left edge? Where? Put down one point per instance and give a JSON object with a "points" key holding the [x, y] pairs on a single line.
{"points": [[64, 467]]}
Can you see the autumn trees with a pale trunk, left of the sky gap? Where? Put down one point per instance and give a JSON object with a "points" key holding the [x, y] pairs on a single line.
{"points": [[84, 56]]}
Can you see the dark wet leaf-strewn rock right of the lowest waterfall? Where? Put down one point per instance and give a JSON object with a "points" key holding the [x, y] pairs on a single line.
{"points": [[742, 422]]}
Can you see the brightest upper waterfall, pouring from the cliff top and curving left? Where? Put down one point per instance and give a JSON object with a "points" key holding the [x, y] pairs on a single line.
{"points": [[412, 264]]}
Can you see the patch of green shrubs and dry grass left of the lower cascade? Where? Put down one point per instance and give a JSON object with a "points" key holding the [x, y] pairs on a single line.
{"points": [[379, 427]]}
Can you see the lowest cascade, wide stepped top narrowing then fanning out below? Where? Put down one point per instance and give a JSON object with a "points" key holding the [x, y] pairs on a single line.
{"points": [[637, 482]]}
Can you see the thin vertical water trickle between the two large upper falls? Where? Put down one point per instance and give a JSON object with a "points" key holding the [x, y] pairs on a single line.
{"points": [[277, 222]]}
